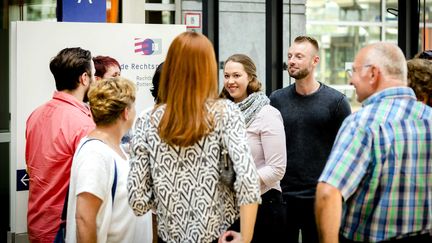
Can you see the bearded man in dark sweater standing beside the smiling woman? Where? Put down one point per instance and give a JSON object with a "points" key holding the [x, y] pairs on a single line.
{"points": [[312, 113]]}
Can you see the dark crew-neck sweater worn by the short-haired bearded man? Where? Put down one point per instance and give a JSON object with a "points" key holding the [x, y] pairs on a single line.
{"points": [[311, 125]]}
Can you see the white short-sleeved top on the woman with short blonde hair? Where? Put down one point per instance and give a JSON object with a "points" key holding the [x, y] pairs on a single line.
{"points": [[93, 172]]}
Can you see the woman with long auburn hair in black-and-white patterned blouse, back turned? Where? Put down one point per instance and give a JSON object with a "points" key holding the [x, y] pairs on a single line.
{"points": [[177, 147]]}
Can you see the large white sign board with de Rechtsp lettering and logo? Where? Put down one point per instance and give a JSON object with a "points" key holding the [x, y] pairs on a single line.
{"points": [[139, 48]]}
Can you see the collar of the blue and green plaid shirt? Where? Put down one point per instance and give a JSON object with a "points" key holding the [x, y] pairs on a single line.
{"points": [[390, 93]]}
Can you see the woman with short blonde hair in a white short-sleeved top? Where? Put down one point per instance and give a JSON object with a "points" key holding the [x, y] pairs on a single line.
{"points": [[98, 209]]}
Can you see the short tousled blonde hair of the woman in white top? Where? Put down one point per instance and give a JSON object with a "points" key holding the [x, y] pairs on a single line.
{"points": [[109, 97]]}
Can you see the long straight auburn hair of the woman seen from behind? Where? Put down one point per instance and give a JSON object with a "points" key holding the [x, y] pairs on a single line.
{"points": [[188, 81]]}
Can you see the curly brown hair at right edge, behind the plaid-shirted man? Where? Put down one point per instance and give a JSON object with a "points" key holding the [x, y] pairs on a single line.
{"points": [[420, 79]]}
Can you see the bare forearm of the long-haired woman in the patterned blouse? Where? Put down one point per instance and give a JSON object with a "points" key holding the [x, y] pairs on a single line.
{"points": [[247, 221]]}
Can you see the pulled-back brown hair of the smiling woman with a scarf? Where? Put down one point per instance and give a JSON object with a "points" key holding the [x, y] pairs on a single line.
{"points": [[254, 84]]}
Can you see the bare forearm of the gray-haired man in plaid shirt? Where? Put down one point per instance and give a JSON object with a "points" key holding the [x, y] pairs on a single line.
{"points": [[328, 211]]}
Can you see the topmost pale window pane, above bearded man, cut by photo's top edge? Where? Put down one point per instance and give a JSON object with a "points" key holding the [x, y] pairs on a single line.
{"points": [[344, 10]]}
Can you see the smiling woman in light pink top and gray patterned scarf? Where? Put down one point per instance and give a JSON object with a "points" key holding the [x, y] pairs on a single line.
{"points": [[266, 138]]}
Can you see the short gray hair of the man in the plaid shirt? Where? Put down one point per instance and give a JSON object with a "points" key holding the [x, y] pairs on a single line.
{"points": [[389, 58]]}
